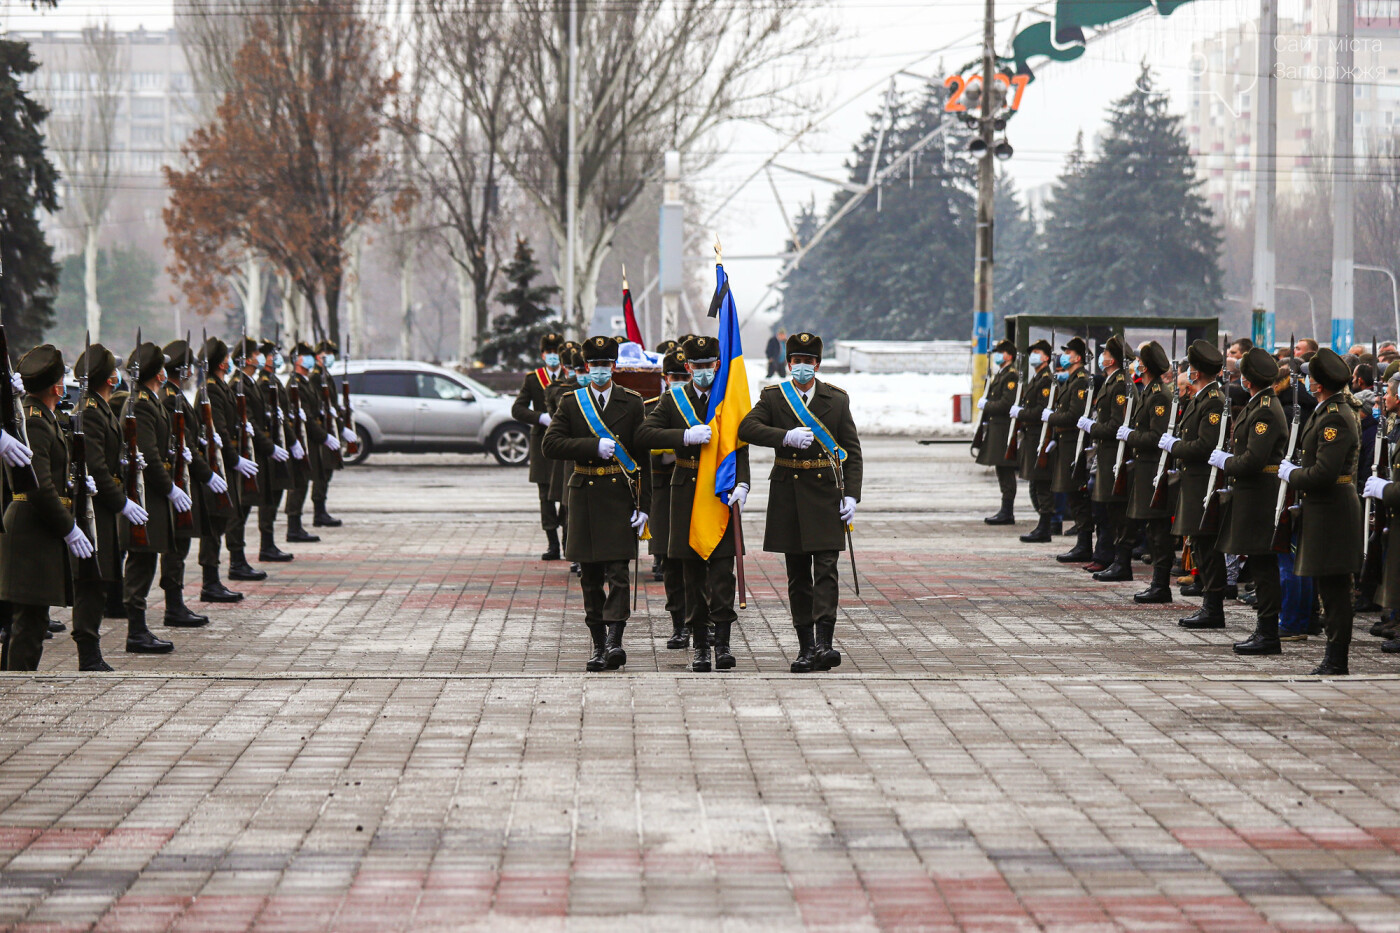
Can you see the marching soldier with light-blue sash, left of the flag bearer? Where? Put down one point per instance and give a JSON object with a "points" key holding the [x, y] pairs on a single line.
{"points": [[608, 502]]}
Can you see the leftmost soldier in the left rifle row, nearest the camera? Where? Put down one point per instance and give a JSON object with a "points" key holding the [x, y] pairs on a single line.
{"points": [[40, 534]]}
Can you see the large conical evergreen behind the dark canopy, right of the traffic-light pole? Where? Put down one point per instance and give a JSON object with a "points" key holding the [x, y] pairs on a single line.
{"points": [[1129, 232]]}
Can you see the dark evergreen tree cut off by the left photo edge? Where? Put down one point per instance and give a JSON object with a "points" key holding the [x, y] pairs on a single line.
{"points": [[27, 184]]}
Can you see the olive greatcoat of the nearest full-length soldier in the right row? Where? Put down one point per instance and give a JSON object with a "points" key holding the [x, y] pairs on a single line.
{"points": [[1331, 443]]}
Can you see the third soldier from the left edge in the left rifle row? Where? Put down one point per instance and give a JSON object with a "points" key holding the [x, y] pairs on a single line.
{"points": [[163, 499]]}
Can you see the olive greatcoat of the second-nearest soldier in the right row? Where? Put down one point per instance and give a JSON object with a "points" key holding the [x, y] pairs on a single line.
{"points": [[1259, 441]]}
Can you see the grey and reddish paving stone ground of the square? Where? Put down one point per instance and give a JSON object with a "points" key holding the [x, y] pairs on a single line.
{"points": [[395, 732]]}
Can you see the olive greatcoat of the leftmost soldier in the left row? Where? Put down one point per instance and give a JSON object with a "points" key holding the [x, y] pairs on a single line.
{"points": [[34, 558]]}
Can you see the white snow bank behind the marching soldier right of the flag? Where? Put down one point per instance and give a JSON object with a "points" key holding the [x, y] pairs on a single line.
{"points": [[901, 404]]}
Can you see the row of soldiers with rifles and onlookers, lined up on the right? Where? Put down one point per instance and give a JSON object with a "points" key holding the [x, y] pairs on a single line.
{"points": [[1235, 476]]}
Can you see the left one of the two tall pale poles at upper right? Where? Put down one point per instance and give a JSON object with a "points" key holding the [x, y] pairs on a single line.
{"points": [[1266, 177]]}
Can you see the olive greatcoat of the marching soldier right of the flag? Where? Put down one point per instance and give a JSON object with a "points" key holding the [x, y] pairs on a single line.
{"points": [[804, 505]]}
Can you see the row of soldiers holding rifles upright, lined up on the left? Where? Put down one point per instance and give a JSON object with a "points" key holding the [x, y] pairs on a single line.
{"points": [[108, 494]]}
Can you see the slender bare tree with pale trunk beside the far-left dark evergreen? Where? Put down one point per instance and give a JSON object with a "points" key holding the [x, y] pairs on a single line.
{"points": [[85, 93]]}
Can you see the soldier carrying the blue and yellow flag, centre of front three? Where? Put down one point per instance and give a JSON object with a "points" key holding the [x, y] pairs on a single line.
{"points": [[709, 582]]}
